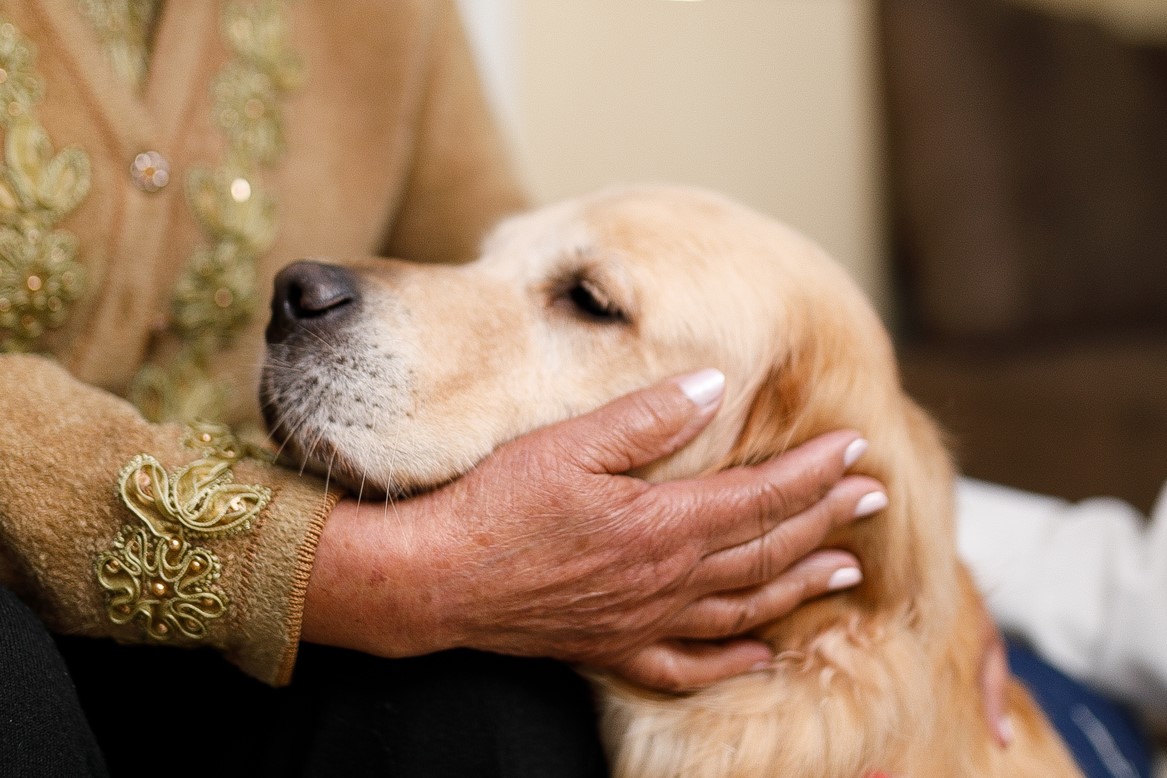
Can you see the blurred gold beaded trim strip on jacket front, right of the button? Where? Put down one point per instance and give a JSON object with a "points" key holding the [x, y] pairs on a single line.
{"points": [[216, 296]]}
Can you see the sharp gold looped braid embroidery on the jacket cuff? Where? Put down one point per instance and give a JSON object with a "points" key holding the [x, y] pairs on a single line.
{"points": [[157, 574]]}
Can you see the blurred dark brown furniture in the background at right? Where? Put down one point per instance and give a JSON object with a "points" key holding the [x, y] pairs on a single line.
{"points": [[1029, 166]]}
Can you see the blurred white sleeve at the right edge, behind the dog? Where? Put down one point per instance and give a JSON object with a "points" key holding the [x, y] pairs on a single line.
{"points": [[1085, 584]]}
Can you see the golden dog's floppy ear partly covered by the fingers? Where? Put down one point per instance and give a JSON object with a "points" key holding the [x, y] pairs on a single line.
{"points": [[843, 375]]}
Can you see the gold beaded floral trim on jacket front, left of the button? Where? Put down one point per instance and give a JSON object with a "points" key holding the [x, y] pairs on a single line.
{"points": [[39, 271]]}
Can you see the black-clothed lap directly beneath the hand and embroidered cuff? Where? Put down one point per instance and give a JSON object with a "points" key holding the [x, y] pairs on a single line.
{"points": [[451, 716]]}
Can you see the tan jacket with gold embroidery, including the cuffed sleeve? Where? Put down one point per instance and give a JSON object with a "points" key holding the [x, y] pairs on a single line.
{"points": [[325, 128]]}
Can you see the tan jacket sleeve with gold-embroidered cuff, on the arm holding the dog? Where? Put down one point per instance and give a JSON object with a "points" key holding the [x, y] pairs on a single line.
{"points": [[115, 528]]}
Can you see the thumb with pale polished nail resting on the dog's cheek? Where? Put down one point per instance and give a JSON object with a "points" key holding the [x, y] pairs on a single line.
{"points": [[642, 427]]}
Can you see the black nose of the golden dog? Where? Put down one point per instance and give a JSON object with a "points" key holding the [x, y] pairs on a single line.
{"points": [[310, 296]]}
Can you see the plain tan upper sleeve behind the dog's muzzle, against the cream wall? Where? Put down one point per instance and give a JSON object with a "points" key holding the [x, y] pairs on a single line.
{"points": [[462, 180]]}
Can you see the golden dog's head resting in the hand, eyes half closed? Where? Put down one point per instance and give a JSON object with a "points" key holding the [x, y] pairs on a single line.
{"points": [[399, 377]]}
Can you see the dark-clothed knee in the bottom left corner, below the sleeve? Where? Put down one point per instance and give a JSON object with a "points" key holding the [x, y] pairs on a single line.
{"points": [[43, 728]]}
